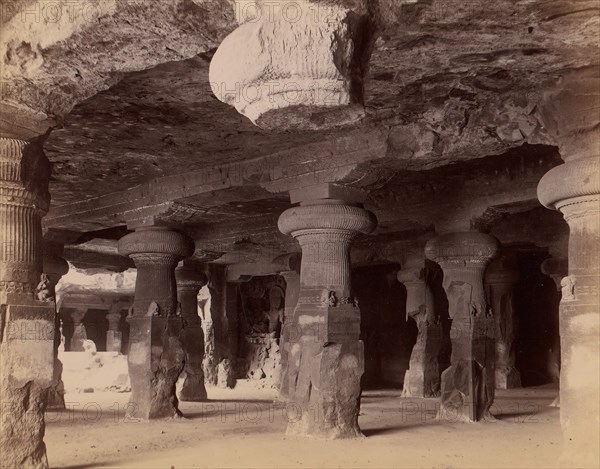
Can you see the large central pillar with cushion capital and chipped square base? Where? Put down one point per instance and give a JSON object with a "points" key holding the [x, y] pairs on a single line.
{"points": [[326, 359]]}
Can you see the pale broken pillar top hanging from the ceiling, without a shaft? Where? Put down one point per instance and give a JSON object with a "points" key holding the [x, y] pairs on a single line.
{"points": [[294, 64]]}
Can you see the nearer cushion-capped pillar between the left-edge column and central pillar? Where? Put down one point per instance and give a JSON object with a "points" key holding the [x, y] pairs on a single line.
{"points": [[156, 356]]}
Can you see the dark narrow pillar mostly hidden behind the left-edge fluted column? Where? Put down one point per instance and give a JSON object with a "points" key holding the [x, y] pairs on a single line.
{"points": [[55, 267]]}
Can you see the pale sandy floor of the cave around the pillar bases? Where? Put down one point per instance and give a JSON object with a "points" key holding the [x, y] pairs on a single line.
{"points": [[243, 428]]}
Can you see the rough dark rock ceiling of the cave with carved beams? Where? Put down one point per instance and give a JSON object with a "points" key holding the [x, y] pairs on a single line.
{"points": [[138, 132]]}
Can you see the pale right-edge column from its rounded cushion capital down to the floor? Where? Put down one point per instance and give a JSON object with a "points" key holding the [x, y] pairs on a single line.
{"points": [[574, 189]]}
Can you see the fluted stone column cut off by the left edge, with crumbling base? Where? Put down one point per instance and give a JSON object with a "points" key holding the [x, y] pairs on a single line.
{"points": [[27, 313]]}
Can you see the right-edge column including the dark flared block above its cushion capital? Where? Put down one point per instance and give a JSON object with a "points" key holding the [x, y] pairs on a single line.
{"points": [[570, 114]]}
